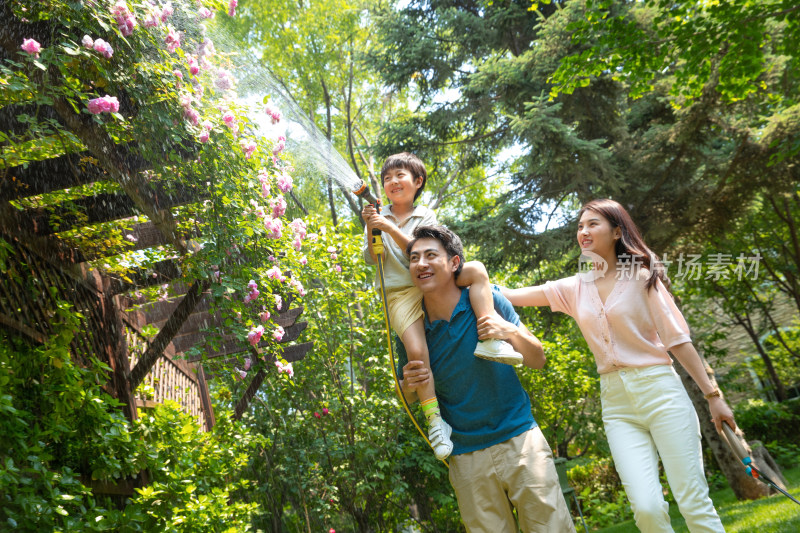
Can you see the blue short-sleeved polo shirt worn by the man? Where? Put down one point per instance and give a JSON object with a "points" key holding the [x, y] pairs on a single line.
{"points": [[483, 401]]}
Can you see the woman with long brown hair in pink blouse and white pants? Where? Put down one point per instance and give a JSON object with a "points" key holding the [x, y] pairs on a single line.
{"points": [[628, 317]]}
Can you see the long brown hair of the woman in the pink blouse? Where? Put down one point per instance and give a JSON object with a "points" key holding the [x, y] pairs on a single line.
{"points": [[630, 247]]}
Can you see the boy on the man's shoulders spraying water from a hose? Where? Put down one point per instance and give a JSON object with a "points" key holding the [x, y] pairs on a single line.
{"points": [[404, 176]]}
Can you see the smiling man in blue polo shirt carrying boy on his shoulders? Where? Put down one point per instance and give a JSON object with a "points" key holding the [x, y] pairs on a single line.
{"points": [[500, 460]]}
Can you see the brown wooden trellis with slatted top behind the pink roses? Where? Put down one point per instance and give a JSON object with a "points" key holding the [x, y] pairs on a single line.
{"points": [[43, 268]]}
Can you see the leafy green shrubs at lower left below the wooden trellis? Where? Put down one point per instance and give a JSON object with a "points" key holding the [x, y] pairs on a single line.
{"points": [[58, 429]]}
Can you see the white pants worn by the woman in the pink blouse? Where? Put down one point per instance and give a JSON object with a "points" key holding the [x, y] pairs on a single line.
{"points": [[647, 413]]}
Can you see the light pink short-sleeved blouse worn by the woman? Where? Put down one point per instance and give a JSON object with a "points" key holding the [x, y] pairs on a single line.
{"points": [[634, 328]]}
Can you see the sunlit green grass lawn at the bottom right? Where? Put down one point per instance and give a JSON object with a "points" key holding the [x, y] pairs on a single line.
{"points": [[776, 514]]}
